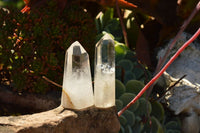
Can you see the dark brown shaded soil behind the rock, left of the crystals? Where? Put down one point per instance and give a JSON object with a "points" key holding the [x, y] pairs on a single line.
{"points": [[11, 103]]}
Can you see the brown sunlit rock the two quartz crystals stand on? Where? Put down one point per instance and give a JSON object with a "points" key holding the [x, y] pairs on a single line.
{"points": [[60, 120]]}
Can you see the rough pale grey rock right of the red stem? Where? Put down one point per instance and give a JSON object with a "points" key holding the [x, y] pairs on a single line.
{"points": [[185, 96]]}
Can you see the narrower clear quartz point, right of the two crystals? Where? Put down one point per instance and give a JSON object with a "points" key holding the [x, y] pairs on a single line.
{"points": [[104, 81]]}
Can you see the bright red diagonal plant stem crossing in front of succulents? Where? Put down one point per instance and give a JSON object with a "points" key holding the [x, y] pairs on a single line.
{"points": [[161, 72]]}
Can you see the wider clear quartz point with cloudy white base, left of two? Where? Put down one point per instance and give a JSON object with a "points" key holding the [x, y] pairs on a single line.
{"points": [[77, 84]]}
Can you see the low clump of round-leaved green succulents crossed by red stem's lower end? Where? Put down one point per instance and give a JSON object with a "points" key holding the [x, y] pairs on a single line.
{"points": [[143, 116]]}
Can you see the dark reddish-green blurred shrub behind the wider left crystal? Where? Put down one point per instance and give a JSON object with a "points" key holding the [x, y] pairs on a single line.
{"points": [[33, 45]]}
